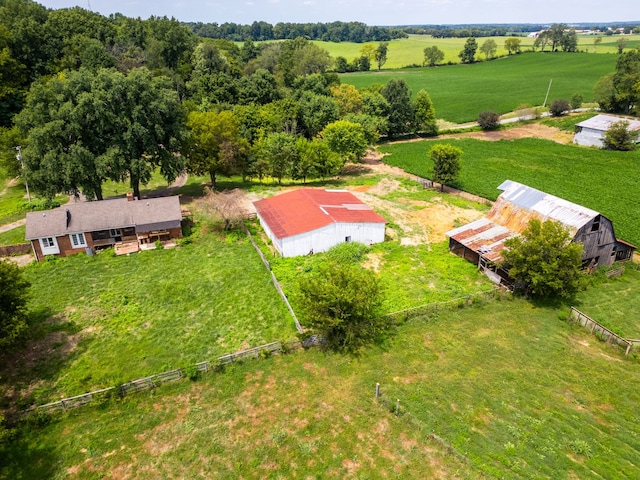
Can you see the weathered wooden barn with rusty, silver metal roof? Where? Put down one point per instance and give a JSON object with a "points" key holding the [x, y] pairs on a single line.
{"points": [[482, 241]]}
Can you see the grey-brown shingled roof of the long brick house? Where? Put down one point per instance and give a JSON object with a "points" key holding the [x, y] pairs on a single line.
{"points": [[145, 215]]}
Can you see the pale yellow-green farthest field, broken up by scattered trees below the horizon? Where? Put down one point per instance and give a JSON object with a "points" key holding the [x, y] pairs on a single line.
{"points": [[410, 51]]}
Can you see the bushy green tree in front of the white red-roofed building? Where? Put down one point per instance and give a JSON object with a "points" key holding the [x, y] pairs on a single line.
{"points": [[341, 302]]}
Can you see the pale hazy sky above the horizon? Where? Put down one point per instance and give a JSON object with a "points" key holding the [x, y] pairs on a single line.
{"points": [[370, 12]]}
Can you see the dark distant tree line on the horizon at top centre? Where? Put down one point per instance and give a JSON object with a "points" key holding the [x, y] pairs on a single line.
{"points": [[327, 32]]}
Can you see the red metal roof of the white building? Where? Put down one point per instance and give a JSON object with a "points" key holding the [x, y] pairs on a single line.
{"points": [[307, 209]]}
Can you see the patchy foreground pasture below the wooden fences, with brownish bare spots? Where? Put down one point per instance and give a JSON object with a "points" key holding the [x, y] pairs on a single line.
{"points": [[511, 388]]}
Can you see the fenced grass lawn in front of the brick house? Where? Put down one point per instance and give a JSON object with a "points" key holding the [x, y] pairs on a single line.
{"points": [[106, 320]]}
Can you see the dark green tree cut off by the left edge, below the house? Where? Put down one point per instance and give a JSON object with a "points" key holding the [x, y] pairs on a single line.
{"points": [[14, 291]]}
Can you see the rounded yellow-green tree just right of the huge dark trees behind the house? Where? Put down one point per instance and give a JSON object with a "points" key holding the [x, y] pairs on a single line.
{"points": [[214, 145]]}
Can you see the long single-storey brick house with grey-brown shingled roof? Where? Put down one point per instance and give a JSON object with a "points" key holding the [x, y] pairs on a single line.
{"points": [[126, 224]]}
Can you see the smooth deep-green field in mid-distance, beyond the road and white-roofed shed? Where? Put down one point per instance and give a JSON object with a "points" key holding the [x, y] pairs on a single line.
{"points": [[460, 92]]}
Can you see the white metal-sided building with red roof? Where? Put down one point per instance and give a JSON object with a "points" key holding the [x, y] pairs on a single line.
{"points": [[310, 220]]}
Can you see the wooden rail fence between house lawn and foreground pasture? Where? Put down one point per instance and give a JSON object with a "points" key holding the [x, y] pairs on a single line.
{"points": [[153, 381]]}
